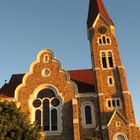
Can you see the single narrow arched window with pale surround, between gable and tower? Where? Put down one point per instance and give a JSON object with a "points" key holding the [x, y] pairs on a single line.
{"points": [[88, 115]]}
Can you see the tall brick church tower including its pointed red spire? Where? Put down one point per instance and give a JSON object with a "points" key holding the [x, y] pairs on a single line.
{"points": [[116, 118]]}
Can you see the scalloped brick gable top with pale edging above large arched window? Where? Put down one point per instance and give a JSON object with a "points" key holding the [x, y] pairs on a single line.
{"points": [[44, 72]]}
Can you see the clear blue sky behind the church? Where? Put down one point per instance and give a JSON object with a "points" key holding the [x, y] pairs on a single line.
{"points": [[28, 26]]}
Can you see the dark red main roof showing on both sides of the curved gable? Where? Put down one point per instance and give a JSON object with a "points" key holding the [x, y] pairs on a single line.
{"points": [[84, 80]]}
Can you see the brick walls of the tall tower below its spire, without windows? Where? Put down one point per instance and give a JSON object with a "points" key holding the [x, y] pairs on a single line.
{"points": [[120, 87]]}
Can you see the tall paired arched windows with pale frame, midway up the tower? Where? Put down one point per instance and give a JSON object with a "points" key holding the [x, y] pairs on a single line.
{"points": [[107, 59]]}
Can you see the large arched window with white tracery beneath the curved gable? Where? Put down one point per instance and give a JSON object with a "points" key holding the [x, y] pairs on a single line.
{"points": [[47, 110]]}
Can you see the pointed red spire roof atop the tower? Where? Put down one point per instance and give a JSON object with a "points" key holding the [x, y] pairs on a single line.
{"points": [[97, 7]]}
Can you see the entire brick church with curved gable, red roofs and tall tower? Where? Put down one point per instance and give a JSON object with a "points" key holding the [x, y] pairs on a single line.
{"points": [[85, 104]]}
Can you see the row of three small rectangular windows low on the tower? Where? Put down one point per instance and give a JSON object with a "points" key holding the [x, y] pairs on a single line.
{"points": [[114, 103]]}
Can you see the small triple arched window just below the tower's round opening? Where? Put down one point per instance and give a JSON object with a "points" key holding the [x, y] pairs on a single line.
{"points": [[104, 40]]}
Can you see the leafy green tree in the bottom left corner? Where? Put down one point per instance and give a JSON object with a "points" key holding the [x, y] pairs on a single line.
{"points": [[14, 124]]}
